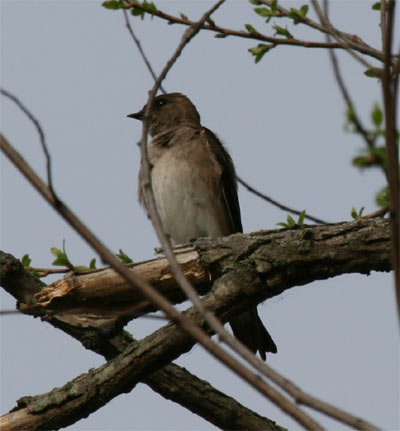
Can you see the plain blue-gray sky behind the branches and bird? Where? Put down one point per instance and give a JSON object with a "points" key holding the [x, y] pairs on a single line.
{"points": [[74, 65]]}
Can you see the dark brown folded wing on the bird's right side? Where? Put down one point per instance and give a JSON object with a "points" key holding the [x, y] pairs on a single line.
{"points": [[228, 179]]}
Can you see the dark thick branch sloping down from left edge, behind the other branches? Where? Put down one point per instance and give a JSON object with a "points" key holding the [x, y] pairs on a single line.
{"points": [[168, 381]]}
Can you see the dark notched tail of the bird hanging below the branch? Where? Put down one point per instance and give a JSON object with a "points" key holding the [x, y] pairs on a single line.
{"points": [[249, 329]]}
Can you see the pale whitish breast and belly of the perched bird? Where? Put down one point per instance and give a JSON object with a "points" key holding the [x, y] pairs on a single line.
{"points": [[189, 201]]}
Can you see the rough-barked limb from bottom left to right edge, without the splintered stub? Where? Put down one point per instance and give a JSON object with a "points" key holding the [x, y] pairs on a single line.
{"points": [[247, 269]]}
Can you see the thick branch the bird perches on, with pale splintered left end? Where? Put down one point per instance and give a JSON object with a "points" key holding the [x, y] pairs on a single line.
{"points": [[283, 258]]}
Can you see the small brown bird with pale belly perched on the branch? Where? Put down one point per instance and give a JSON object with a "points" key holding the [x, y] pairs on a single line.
{"points": [[195, 190]]}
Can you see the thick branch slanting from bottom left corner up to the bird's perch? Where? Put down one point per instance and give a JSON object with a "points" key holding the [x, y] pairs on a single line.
{"points": [[88, 392]]}
